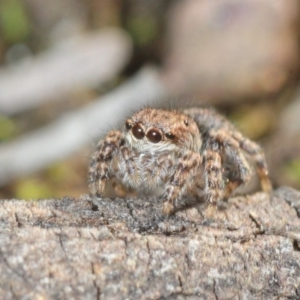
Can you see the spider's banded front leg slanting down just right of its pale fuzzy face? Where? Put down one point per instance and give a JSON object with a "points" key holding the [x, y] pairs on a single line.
{"points": [[187, 167]]}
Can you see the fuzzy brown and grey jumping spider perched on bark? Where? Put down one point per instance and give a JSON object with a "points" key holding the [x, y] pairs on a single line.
{"points": [[193, 152]]}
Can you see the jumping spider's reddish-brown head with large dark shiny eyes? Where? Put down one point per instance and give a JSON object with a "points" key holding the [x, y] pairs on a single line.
{"points": [[153, 130]]}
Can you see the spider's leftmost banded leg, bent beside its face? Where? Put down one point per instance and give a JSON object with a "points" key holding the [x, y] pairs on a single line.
{"points": [[100, 164]]}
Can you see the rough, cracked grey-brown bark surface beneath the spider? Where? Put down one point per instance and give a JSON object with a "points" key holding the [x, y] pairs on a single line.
{"points": [[126, 249]]}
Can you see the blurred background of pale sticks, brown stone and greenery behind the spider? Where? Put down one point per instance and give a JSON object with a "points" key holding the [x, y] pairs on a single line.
{"points": [[70, 70]]}
